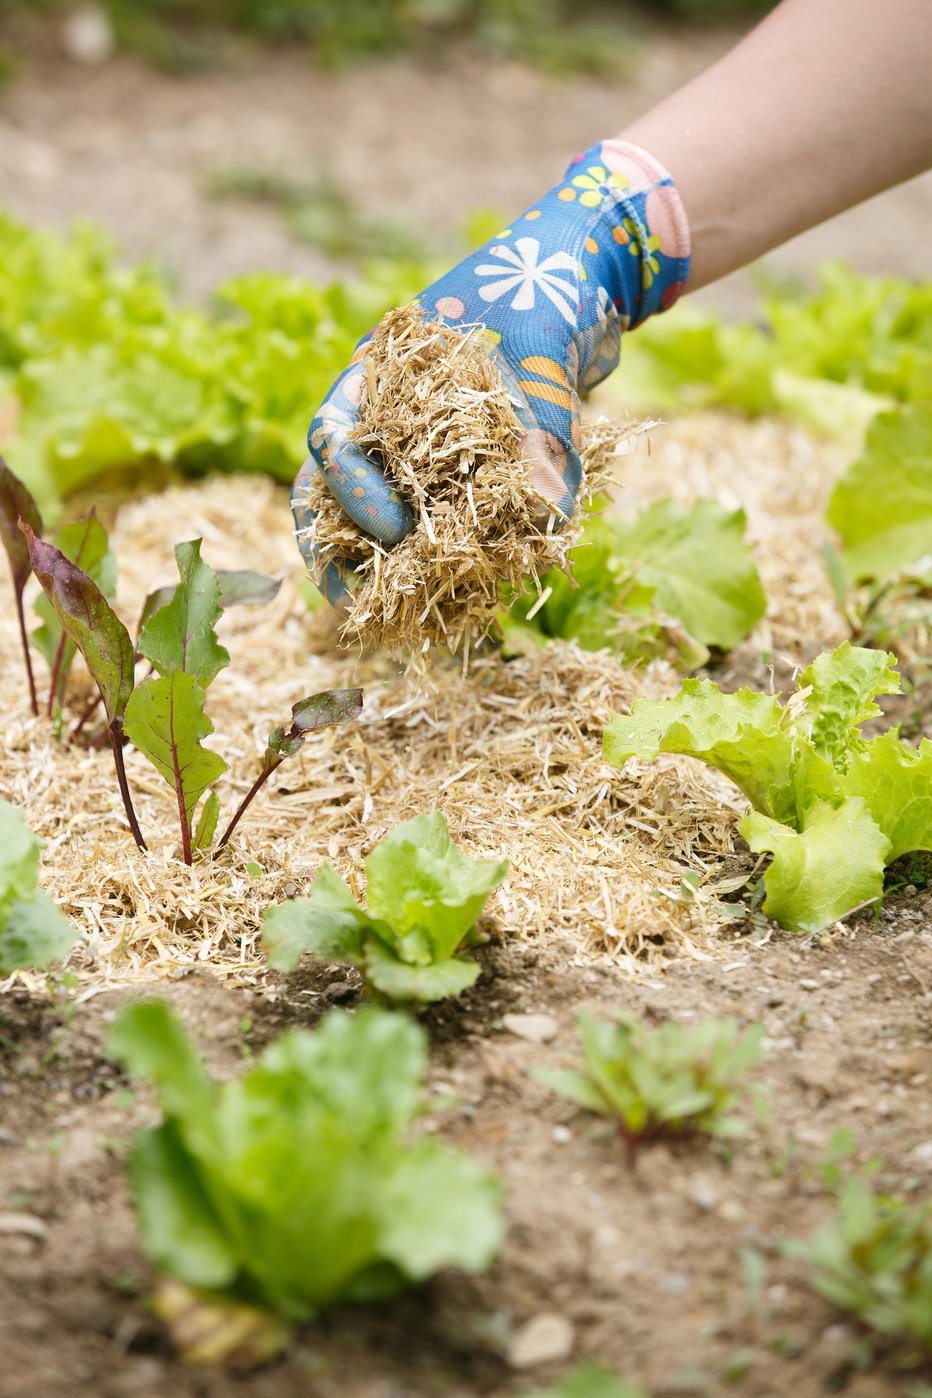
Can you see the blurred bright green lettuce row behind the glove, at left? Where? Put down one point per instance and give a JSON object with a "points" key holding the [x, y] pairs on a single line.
{"points": [[104, 373]]}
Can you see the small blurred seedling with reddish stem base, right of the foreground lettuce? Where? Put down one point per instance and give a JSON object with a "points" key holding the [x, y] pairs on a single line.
{"points": [[673, 1081]]}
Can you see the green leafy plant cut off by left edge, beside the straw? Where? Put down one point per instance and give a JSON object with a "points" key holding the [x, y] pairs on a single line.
{"points": [[33, 929]]}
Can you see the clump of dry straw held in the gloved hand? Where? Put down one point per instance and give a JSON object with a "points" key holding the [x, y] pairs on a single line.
{"points": [[438, 416]]}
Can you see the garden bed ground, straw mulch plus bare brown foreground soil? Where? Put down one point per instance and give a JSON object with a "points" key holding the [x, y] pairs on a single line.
{"points": [[670, 1271]]}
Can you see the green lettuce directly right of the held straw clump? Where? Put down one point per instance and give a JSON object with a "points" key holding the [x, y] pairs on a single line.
{"points": [[670, 579]]}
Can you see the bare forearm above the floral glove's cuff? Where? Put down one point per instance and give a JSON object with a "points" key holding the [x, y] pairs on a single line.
{"points": [[825, 104]]}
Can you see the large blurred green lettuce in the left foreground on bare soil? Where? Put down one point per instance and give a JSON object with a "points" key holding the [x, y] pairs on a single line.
{"points": [[297, 1186]]}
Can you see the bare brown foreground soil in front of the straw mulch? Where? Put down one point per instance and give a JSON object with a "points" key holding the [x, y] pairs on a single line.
{"points": [[645, 1263]]}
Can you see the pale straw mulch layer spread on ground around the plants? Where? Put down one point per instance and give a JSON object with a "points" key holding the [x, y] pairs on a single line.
{"points": [[512, 753]]}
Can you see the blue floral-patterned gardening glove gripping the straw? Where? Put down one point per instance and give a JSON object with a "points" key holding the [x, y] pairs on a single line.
{"points": [[602, 252]]}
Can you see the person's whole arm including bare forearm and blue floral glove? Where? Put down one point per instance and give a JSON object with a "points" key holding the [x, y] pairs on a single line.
{"points": [[825, 104]]}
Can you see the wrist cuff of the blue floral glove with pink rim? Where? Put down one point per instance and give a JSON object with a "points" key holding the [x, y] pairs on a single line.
{"points": [[645, 219]]}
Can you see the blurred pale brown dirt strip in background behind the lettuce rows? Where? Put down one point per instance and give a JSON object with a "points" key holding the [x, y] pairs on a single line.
{"points": [[133, 152]]}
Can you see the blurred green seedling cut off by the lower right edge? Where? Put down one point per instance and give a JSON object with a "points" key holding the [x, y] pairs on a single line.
{"points": [[874, 1260]]}
